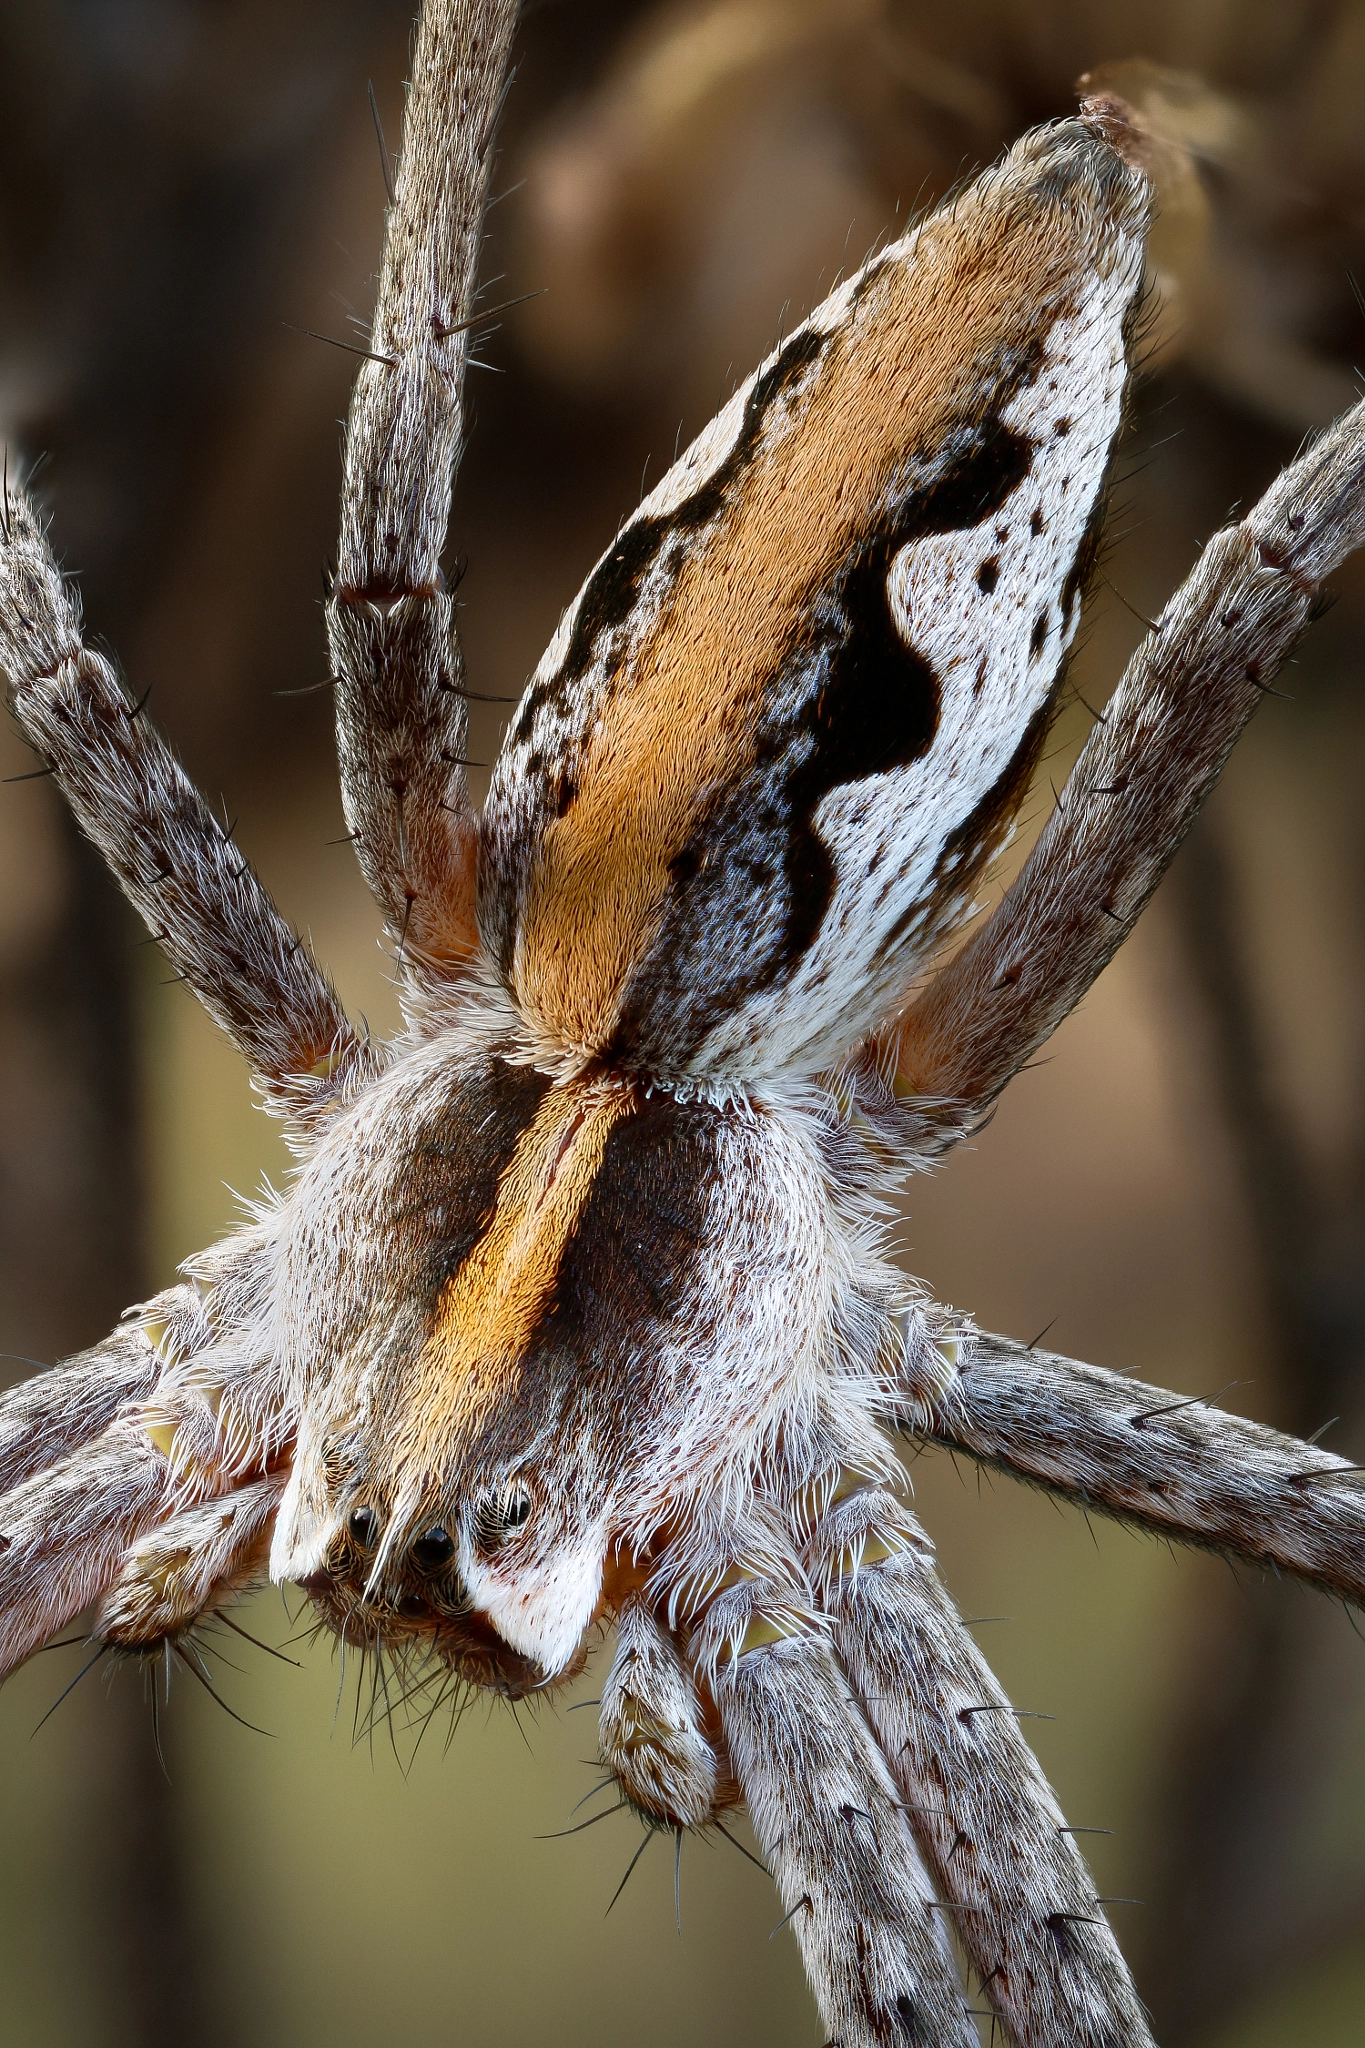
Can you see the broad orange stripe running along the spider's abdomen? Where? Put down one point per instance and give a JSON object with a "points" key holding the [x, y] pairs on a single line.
{"points": [[904, 368]]}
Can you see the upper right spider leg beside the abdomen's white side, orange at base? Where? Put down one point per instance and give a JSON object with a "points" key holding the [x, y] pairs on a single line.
{"points": [[1143, 775]]}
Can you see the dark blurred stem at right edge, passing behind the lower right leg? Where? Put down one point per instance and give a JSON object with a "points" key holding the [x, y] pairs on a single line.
{"points": [[1249, 1756]]}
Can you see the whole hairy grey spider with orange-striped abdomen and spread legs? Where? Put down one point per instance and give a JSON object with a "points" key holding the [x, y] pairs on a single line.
{"points": [[576, 1312]]}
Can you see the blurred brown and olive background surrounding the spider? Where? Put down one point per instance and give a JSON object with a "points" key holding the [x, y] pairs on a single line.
{"points": [[183, 187]]}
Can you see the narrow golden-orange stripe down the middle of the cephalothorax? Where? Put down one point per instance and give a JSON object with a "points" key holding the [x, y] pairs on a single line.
{"points": [[492, 1308]]}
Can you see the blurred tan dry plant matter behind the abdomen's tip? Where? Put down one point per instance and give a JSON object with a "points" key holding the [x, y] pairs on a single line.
{"points": [[742, 146]]}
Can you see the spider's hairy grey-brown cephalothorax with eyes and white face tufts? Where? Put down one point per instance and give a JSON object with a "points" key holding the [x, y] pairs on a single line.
{"points": [[531, 1324]]}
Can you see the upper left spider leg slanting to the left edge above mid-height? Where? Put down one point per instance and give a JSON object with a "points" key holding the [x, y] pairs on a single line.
{"points": [[171, 857]]}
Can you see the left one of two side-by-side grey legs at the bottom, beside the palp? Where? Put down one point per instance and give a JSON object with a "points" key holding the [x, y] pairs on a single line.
{"points": [[832, 1826]]}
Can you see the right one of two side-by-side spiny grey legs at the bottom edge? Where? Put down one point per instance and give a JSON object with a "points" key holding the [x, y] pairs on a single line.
{"points": [[977, 1801]]}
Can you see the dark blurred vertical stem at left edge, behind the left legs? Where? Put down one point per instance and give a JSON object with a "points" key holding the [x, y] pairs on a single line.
{"points": [[71, 1240]]}
